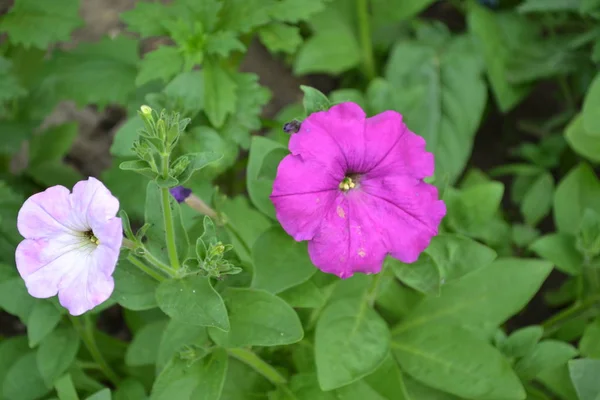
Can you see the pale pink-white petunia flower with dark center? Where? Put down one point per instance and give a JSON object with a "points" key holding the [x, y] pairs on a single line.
{"points": [[72, 243]]}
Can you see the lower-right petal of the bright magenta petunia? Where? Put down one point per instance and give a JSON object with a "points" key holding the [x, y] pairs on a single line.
{"points": [[407, 210]]}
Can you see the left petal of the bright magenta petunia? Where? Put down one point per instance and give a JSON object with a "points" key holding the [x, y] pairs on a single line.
{"points": [[301, 195]]}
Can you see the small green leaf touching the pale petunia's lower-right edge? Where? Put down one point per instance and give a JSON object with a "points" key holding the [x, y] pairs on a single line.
{"points": [[134, 289]]}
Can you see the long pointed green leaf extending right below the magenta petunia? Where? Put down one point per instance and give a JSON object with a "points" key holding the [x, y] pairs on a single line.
{"points": [[483, 299]]}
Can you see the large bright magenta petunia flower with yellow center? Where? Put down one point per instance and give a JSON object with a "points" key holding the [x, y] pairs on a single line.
{"points": [[353, 187]]}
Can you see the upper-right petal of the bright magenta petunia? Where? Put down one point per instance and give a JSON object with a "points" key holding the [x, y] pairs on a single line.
{"points": [[393, 149]]}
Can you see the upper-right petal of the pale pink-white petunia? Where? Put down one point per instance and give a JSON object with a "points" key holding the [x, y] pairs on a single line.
{"points": [[93, 203]]}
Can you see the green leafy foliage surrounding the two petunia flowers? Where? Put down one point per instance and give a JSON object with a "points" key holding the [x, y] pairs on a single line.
{"points": [[502, 305]]}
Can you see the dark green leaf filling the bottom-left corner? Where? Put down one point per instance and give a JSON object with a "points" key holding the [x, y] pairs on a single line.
{"points": [[23, 380]]}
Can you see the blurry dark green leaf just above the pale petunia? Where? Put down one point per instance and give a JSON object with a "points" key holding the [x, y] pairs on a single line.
{"points": [[52, 144]]}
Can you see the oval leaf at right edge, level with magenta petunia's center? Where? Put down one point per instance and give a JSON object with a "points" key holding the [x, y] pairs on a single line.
{"points": [[579, 190]]}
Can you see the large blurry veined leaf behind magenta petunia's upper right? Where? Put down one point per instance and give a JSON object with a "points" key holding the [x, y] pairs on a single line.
{"points": [[426, 82]]}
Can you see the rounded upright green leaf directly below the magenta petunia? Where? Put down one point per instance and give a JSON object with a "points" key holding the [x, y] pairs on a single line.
{"points": [[351, 341]]}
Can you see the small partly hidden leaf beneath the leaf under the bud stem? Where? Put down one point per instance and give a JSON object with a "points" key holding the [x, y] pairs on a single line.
{"points": [[177, 335]]}
